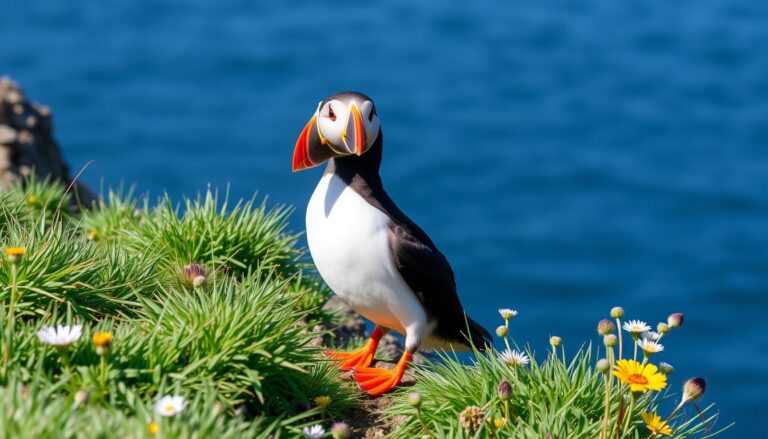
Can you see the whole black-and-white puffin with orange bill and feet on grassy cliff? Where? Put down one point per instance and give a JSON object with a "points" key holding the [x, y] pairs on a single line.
{"points": [[369, 252]]}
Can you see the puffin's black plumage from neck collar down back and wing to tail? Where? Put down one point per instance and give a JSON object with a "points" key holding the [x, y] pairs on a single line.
{"points": [[422, 266]]}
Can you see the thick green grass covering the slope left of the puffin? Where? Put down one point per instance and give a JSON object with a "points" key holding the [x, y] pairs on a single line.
{"points": [[238, 348]]}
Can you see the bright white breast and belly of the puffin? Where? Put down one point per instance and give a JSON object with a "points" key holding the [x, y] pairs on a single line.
{"points": [[349, 244]]}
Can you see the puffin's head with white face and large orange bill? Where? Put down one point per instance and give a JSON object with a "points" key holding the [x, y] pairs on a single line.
{"points": [[343, 124]]}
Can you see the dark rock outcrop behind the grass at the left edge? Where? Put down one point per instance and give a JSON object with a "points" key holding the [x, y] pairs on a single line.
{"points": [[26, 142]]}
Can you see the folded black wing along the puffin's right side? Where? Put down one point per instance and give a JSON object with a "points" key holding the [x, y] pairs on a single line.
{"points": [[429, 275]]}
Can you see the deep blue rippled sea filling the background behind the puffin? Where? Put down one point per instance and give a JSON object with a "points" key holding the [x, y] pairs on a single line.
{"points": [[566, 156]]}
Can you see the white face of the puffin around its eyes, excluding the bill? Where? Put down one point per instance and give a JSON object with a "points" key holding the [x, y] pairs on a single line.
{"points": [[332, 118]]}
